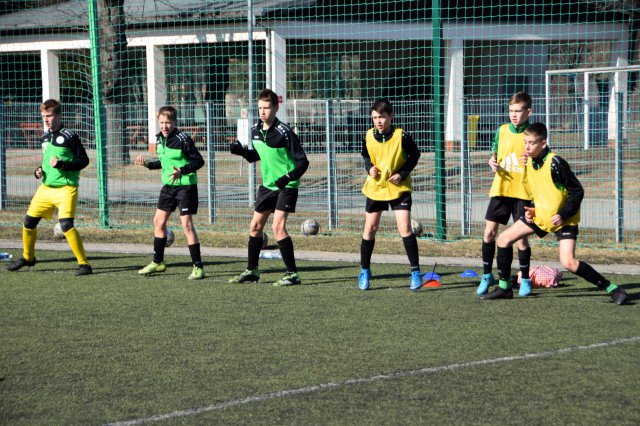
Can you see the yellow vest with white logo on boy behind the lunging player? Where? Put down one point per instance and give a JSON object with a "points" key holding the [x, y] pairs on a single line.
{"points": [[511, 176]]}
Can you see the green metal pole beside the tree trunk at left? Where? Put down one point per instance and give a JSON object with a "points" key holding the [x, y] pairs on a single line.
{"points": [[99, 115]]}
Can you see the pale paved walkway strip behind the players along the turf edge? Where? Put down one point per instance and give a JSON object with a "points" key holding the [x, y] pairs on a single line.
{"points": [[426, 262]]}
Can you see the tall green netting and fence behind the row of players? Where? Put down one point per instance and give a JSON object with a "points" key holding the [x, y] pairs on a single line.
{"points": [[328, 60]]}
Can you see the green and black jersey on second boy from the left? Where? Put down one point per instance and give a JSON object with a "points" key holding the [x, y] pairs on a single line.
{"points": [[177, 150]]}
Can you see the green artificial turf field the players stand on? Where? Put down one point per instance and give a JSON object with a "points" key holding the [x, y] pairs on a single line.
{"points": [[117, 348]]}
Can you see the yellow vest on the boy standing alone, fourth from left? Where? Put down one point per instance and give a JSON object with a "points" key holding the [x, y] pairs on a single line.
{"points": [[388, 158]]}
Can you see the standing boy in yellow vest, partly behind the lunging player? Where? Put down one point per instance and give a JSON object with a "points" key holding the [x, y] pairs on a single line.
{"points": [[508, 192]]}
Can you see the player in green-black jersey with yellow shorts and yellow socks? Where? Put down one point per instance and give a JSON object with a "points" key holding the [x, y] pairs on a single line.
{"points": [[63, 156]]}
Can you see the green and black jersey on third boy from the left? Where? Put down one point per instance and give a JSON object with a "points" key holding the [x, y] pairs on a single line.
{"points": [[280, 153]]}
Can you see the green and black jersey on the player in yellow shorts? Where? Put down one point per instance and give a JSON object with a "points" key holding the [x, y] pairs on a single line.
{"points": [[65, 146]]}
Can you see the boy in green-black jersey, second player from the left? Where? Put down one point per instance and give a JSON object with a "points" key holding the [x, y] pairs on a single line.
{"points": [[179, 159]]}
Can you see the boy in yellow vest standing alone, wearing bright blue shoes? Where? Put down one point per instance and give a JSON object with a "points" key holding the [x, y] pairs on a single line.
{"points": [[389, 154]]}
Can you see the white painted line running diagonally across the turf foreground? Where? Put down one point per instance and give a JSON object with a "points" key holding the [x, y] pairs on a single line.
{"points": [[365, 380]]}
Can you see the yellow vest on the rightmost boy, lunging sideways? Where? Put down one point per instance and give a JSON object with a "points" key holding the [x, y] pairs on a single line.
{"points": [[547, 197]]}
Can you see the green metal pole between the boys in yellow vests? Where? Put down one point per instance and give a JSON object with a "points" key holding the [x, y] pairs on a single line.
{"points": [[437, 74]]}
